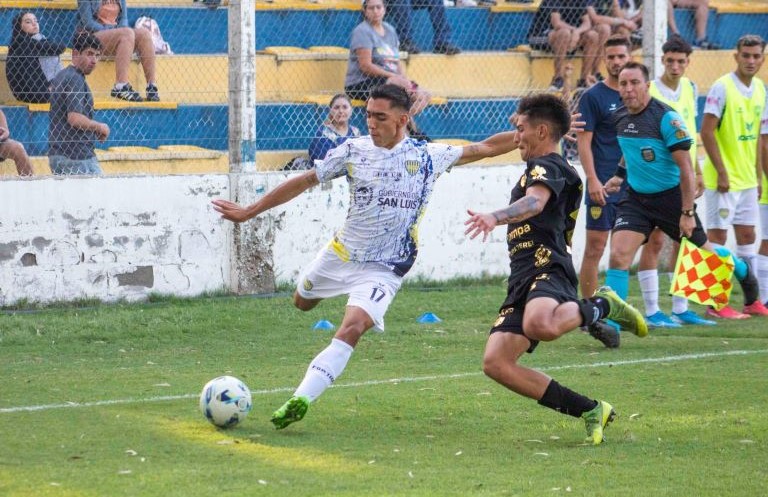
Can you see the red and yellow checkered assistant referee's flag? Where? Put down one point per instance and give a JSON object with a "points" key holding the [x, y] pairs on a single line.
{"points": [[702, 276]]}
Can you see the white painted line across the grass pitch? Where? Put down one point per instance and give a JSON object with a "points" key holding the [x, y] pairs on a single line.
{"points": [[165, 398]]}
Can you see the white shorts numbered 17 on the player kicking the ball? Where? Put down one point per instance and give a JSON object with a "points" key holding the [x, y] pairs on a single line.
{"points": [[370, 285]]}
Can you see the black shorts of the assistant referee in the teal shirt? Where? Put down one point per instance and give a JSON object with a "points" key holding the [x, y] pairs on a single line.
{"points": [[641, 213]]}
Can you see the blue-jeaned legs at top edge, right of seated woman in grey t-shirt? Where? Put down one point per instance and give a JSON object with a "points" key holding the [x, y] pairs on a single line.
{"points": [[400, 12]]}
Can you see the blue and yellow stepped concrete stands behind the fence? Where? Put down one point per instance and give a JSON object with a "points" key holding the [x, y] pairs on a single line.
{"points": [[300, 63]]}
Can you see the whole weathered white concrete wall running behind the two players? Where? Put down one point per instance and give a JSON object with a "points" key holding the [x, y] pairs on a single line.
{"points": [[117, 238]]}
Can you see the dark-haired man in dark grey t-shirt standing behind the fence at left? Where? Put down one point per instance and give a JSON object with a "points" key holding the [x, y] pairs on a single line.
{"points": [[72, 129]]}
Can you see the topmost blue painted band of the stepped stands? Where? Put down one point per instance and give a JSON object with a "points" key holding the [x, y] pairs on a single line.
{"points": [[203, 31]]}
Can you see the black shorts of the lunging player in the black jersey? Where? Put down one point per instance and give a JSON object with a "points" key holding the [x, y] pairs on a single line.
{"points": [[554, 284]]}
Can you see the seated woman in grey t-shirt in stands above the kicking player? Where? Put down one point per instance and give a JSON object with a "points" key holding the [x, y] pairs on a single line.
{"points": [[374, 59]]}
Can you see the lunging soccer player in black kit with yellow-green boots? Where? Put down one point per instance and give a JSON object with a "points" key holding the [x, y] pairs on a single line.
{"points": [[542, 302]]}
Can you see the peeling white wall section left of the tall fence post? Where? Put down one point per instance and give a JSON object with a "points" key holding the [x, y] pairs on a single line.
{"points": [[111, 238]]}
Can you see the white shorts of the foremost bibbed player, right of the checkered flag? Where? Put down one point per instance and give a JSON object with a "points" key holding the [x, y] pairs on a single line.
{"points": [[734, 207]]}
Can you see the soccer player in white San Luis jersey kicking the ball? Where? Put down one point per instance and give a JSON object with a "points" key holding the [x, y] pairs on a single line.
{"points": [[390, 177]]}
